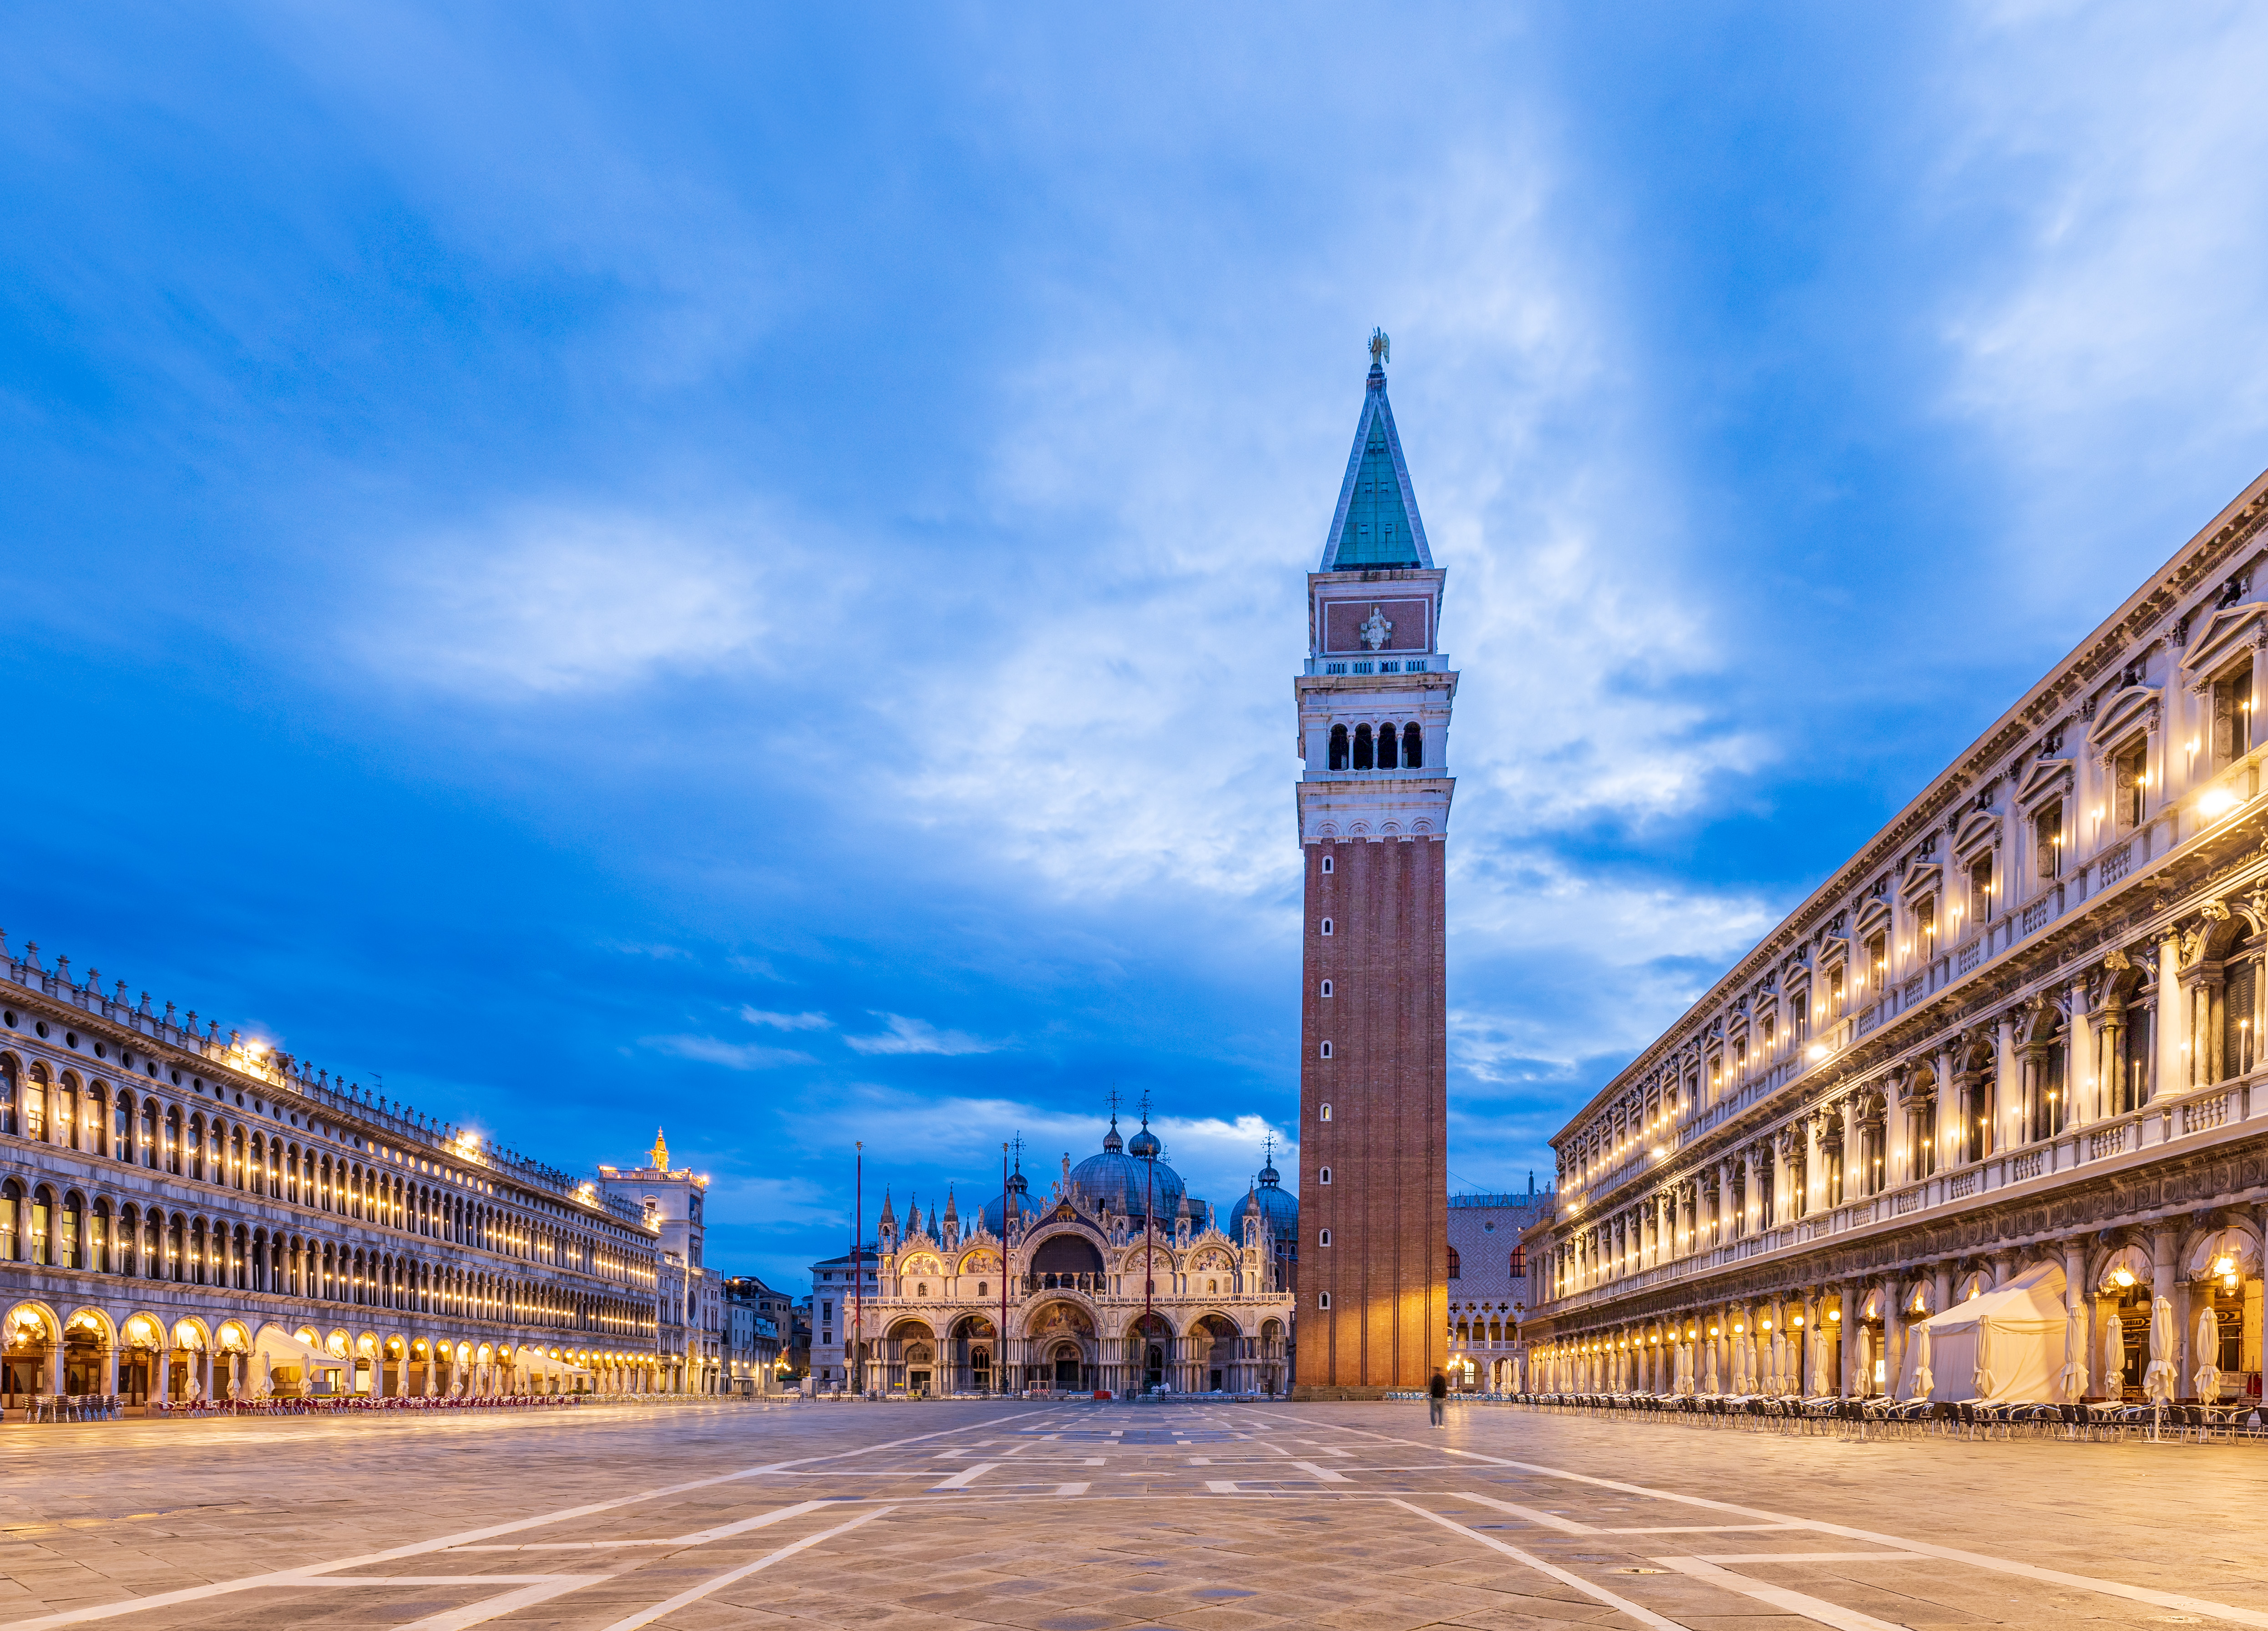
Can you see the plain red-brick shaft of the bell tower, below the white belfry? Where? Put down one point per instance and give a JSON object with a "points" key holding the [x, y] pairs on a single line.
{"points": [[1387, 1142]]}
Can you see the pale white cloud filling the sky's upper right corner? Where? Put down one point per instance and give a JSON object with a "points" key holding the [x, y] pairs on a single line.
{"points": [[2108, 341]]}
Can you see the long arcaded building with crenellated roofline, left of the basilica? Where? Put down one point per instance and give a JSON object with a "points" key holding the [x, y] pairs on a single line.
{"points": [[187, 1217]]}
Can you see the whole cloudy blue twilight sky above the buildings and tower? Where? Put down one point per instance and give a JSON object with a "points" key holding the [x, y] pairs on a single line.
{"points": [[741, 566]]}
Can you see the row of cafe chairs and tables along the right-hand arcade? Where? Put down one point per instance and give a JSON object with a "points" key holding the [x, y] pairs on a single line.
{"points": [[1911, 1419]]}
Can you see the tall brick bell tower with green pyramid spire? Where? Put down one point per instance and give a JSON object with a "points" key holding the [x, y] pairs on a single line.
{"points": [[1373, 1020]]}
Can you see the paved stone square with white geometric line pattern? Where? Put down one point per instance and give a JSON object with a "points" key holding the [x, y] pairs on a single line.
{"points": [[1108, 1519]]}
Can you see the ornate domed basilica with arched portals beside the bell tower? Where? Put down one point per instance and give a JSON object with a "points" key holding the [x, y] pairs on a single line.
{"points": [[1117, 1281]]}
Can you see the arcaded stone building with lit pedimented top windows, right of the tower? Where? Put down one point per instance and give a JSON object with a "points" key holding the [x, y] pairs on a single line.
{"points": [[2011, 1049]]}
